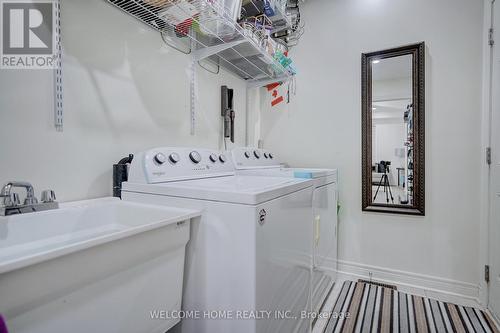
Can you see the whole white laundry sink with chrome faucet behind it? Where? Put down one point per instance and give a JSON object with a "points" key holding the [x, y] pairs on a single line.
{"points": [[104, 263]]}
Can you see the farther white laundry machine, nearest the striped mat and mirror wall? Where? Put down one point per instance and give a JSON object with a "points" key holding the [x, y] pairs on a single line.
{"points": [[251, 161]]}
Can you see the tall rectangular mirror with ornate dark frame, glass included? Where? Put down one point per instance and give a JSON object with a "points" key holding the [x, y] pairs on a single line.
{"points": [[393, 130]]}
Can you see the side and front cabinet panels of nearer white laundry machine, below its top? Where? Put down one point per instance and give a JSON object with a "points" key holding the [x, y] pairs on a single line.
{"points": [[235, 262]]}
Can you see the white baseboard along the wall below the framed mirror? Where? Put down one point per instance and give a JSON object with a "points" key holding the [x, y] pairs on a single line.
{"points": [[446, 290]]}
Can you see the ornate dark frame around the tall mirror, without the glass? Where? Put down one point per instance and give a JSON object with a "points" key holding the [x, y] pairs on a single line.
{"points": [[418, 53]]}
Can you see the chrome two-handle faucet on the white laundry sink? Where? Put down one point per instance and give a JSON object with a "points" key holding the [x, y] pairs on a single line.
{"points": [[11, 205]]}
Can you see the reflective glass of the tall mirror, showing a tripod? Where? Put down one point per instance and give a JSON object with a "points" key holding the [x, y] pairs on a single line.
{"points": [[392, 130]]}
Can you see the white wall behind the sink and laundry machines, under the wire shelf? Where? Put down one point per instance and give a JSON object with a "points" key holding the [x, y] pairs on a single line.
{"points": [[125, 91]]}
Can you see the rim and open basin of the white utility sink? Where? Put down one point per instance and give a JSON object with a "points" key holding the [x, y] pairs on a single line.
{"points": [[31, 238]]}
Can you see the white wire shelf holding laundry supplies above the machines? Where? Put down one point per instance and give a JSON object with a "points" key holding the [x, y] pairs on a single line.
{"points": [[209, 30]]}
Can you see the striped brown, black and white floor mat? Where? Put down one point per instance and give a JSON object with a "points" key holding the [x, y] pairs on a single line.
{"points": [[362, 307]]}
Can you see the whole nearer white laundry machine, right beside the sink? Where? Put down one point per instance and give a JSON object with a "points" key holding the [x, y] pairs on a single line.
{"points": [[249, 258]]}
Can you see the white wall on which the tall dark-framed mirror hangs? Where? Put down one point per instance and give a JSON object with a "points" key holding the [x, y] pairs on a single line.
{"points": [[322, 127]]}
